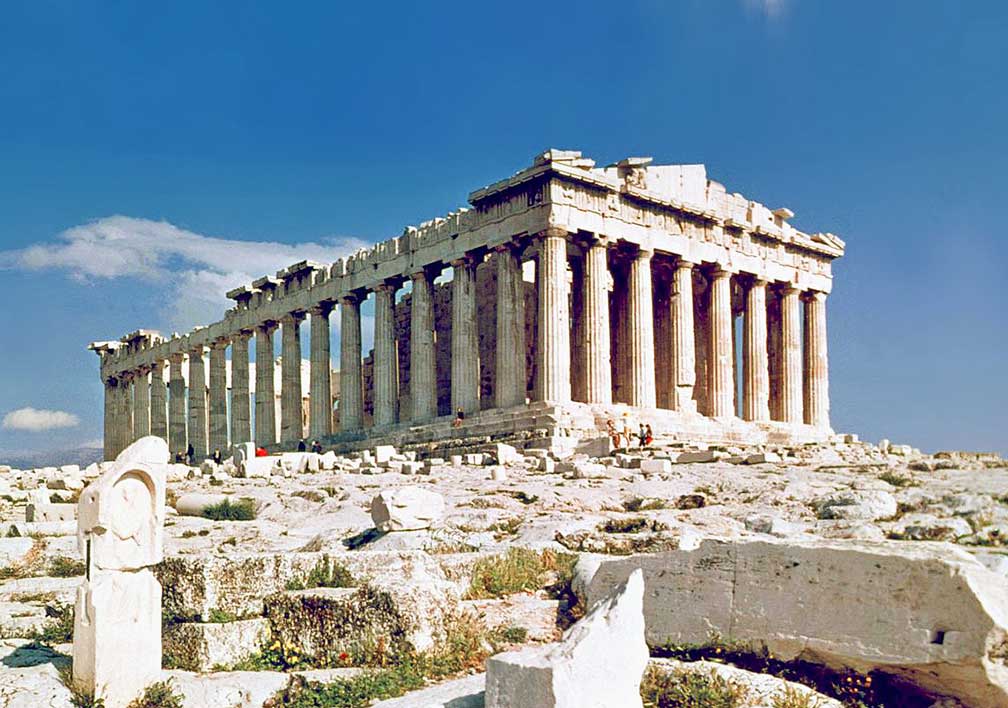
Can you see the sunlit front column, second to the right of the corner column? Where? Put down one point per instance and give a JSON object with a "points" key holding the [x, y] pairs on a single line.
{"points": [[641, 323]]}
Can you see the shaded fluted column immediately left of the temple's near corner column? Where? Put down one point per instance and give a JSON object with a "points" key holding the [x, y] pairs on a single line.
{"points": [[510, 389]]}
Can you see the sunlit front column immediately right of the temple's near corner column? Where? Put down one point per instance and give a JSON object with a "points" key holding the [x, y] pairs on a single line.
{"points": [[595, 329]]}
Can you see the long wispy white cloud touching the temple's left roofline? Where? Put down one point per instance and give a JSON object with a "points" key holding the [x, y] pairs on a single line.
{"points": [[195, 271]]}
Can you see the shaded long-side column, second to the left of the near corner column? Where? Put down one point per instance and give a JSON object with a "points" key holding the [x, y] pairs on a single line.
{"points": [[465, 338]]}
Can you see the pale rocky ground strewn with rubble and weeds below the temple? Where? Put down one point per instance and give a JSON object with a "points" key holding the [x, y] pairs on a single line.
{"points": [[386, 560]]}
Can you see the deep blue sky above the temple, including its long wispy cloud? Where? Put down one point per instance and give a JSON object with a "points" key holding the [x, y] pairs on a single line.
{"points": [[256, 132]]}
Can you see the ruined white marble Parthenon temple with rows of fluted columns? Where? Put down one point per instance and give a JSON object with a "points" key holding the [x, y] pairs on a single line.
{"points": [[567, 296]]}
